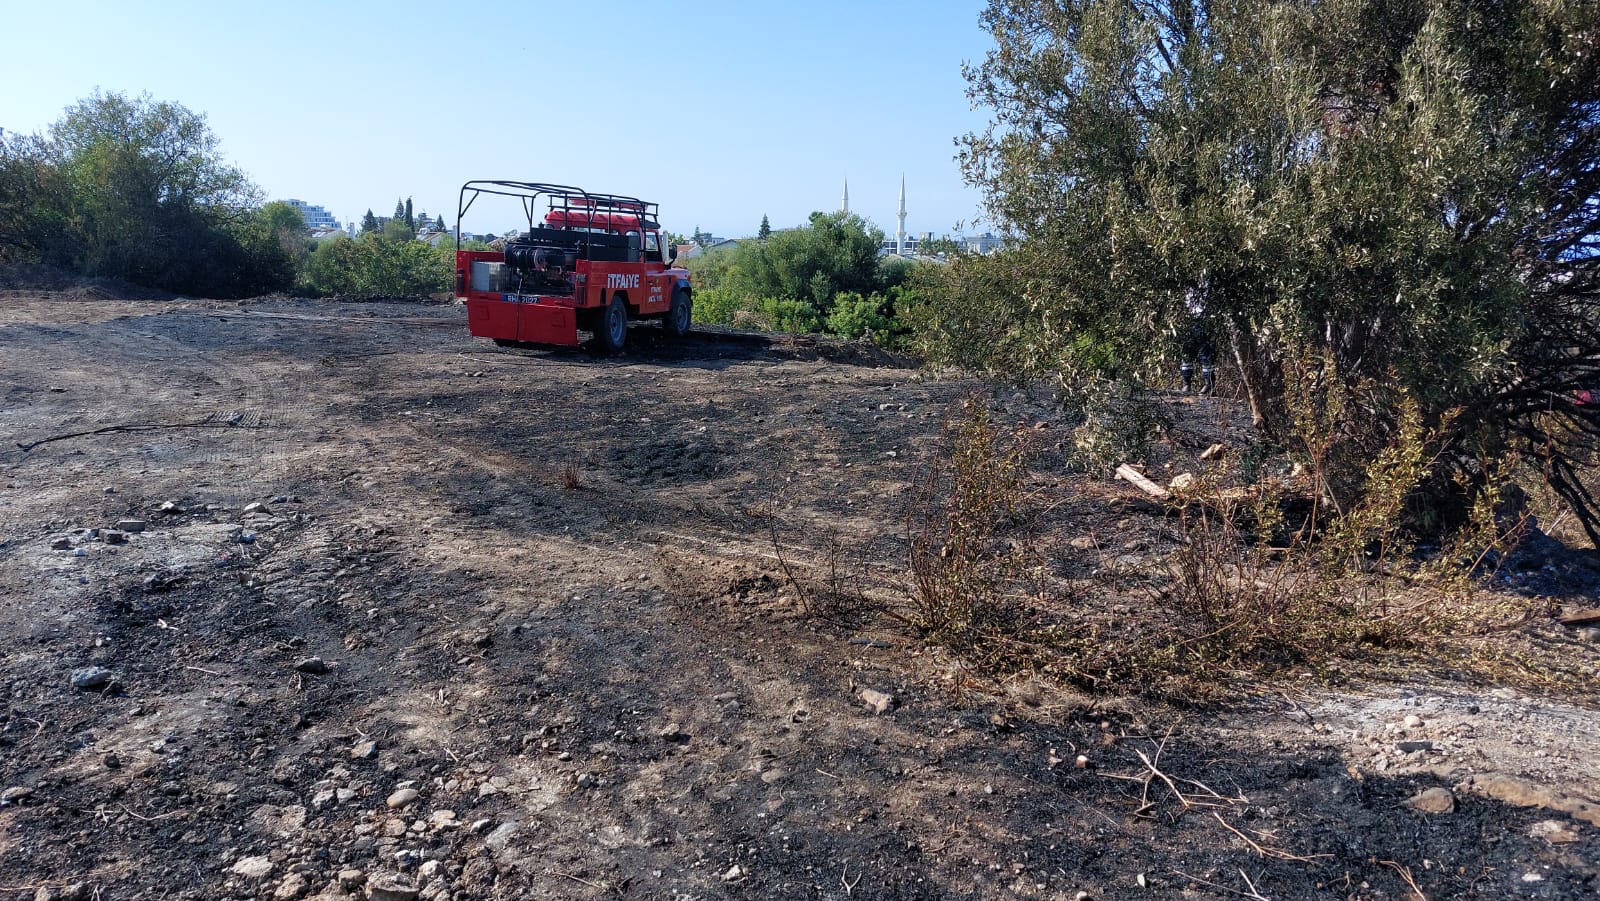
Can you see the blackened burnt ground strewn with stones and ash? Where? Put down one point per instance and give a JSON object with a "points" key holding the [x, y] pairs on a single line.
{"points": [[562, 660]]}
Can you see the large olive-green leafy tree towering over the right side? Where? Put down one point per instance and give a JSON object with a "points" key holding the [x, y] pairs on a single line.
{"points": [[1396, 196]]}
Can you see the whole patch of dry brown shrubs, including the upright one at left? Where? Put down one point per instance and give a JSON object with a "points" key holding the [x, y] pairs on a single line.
{"points": [[1263, 579]]}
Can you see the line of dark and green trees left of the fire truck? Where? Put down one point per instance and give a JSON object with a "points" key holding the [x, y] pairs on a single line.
{"points": [[137, 190]]}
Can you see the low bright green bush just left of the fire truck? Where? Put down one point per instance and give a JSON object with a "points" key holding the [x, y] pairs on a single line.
{"points": [[372, 266]]}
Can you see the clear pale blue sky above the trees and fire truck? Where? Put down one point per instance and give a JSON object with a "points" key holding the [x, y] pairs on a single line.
{"points": [[719, 111]]}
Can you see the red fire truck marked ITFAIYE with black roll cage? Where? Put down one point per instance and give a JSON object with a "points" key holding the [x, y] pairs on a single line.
{"points": [[588, 262]]}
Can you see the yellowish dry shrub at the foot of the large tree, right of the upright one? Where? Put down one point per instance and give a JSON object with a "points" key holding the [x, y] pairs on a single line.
{"points": [[1254, 591]]}
